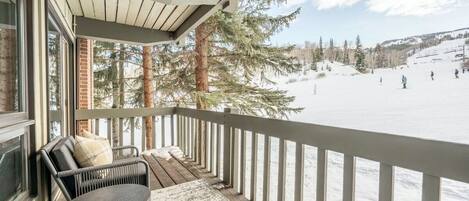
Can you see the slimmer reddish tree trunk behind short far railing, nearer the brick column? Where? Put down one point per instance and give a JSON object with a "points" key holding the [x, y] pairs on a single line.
{"points": [[148, 93]]}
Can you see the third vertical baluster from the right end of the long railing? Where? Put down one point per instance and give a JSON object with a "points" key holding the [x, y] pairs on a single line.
{"points": [[349, 178]]}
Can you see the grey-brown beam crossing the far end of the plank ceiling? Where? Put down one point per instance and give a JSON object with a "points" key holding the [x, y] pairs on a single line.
{"points": [[115, 32]]}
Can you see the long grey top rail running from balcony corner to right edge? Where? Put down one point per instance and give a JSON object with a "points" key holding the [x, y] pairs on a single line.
{"points": [[437, 158]]}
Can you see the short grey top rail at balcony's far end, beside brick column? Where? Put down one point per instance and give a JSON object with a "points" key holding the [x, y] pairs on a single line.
{"points": [[122, 113]]}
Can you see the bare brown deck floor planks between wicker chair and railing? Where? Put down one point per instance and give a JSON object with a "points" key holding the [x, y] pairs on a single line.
{"points": [[166, 172]]}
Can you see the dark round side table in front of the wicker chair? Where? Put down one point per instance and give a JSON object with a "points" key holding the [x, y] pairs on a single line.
{"points": [[122, 192]]}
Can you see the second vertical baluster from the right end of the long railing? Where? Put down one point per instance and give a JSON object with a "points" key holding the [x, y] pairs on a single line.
{"points": [[386, 182]]}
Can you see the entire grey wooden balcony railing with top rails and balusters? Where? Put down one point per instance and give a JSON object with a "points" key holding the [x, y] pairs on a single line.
{"points": [[224, 149]]}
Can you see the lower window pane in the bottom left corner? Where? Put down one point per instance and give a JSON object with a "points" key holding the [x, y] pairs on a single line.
{"points": [[11, 168]]}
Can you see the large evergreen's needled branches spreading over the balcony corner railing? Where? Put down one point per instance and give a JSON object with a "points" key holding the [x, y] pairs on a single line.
{"points": [[240, 63]]}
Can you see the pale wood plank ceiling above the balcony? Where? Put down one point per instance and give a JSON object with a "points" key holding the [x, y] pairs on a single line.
{"points": [[149, 14]]}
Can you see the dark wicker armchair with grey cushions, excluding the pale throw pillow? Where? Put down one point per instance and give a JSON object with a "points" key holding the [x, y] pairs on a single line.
{"points": [[75, 181]]}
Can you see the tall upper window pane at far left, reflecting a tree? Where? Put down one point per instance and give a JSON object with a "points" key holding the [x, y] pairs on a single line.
{"points": [[9, 67]]}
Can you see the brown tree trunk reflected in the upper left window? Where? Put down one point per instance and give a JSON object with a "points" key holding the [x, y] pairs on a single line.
{"points": [[8, 70]]}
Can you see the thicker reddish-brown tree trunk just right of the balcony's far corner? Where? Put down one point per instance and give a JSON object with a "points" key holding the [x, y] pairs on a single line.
{"points": [[201, 79]]}
